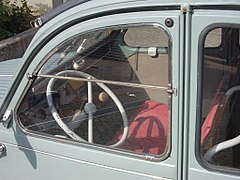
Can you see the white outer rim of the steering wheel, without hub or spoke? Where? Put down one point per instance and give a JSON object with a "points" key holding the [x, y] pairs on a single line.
{"points": [[64, 127]]}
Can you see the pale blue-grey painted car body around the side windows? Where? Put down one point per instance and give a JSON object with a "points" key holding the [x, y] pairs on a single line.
{"points": [[33, 157]]}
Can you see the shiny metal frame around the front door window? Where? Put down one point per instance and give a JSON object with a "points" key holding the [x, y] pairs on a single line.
{"points": [[32, 77]]}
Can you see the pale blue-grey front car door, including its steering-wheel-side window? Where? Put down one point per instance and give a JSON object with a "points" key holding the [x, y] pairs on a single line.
{"points": [[98, 99]]}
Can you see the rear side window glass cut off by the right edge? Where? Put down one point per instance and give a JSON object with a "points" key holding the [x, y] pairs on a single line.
{"points": [[220, 100]]}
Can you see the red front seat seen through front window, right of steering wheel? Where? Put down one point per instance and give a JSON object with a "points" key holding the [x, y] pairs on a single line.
{"points": [[148, 129]]}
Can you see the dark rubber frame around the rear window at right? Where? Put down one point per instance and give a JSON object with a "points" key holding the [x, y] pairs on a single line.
{"points": [[201, 43]]}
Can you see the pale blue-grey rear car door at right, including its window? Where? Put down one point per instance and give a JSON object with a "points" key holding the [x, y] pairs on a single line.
{"points": [[214, 96]]}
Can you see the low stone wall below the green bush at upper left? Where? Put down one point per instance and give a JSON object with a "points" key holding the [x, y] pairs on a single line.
{"points": [[15, 46]]}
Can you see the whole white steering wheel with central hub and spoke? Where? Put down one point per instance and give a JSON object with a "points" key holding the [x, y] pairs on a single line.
{"points": [[89, 108]]}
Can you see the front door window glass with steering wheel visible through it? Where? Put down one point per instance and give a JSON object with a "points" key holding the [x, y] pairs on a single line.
{"points": [[119, 102]]}
